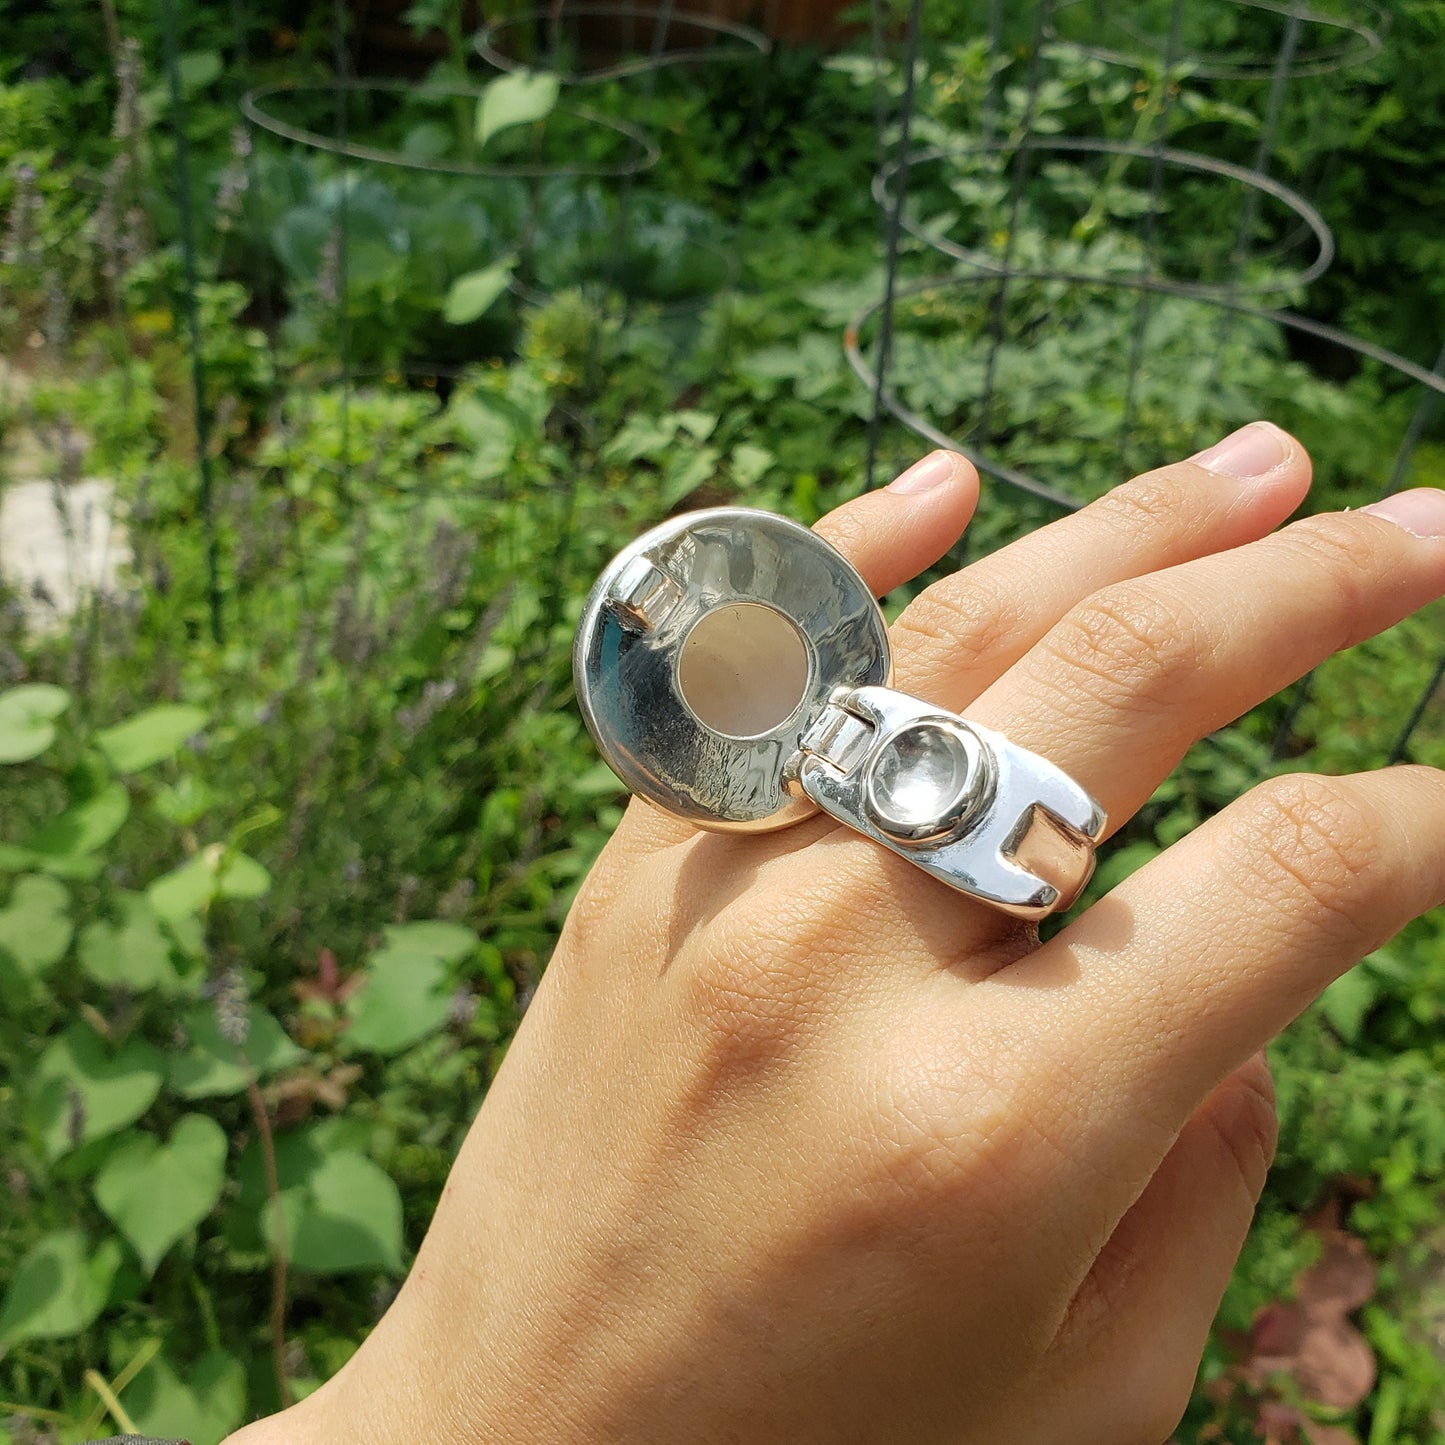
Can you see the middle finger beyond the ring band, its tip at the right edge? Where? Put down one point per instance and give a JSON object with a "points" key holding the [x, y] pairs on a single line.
{"points": [[1121, 690]]}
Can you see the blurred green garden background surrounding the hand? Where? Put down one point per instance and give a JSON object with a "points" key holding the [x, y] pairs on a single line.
{"points": [[340, 346]]}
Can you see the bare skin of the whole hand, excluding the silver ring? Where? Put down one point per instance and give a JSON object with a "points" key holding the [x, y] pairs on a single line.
{"points": [[795, 1145]]}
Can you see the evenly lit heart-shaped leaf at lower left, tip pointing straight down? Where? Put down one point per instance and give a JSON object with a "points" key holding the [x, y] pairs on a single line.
{"points": [[155, 1194]]}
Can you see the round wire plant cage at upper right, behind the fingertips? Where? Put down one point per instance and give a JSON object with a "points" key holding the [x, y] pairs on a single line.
{"points": [[991, 269]]}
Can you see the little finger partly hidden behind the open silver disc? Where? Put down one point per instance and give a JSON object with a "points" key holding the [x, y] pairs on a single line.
{"points": [[889, 535]]}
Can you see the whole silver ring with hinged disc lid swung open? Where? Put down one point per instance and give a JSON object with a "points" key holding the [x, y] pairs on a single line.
{"points": [[733, 670]]}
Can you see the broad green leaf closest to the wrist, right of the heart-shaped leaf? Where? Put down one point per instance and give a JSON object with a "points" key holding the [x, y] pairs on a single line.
{"points": [[345, 1219]]}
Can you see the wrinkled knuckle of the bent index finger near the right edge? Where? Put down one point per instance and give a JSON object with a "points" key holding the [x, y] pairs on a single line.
{"points": [[1310, 842]]}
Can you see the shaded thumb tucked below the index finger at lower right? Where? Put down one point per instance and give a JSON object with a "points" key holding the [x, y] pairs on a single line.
{"points": [[1142, 1316]]}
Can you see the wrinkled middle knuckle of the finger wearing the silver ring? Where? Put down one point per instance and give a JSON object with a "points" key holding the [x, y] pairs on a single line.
{"points": [[1131, 647]]}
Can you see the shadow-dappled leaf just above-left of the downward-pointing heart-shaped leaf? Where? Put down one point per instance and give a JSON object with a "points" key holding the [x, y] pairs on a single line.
{"points": [[82, 1090]]}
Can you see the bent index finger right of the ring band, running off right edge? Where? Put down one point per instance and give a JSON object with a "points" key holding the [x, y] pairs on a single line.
{"points": [[1202, 957]]}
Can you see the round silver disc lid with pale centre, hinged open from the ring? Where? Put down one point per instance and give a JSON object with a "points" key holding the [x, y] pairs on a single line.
{"points": [[706, 651]]}
